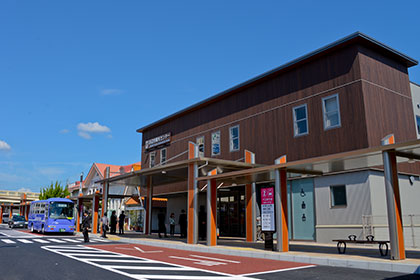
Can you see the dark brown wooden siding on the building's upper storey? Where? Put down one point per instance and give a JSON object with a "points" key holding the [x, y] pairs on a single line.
{"points": [[264, 111]]}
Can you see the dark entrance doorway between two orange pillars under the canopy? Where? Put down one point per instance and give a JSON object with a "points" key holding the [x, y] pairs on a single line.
{"points": [[231, 211]]}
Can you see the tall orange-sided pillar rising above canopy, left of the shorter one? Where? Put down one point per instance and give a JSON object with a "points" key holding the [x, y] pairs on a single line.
{"points": [[192, 227]]}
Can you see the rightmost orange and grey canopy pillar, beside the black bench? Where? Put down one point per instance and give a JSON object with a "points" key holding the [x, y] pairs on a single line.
{"points": [[393, 201]]}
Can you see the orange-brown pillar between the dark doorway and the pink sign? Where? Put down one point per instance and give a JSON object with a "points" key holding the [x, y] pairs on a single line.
{"points": [[250, 202]]}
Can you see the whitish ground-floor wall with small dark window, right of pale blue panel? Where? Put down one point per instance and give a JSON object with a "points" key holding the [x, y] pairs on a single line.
{"points": [[338, 223]]}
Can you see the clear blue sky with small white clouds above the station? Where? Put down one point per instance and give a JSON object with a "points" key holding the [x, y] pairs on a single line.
{"points": [[77, 78]]}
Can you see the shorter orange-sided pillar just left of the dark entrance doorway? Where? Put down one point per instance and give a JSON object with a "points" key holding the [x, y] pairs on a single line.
{"points": [[211, 210]]}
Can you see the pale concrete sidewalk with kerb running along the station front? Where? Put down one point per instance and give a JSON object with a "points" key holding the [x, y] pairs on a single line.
{"points": [[359, 257]]}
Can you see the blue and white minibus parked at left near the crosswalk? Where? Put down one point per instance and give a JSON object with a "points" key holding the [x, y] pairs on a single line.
{"points": [[52, 215]]}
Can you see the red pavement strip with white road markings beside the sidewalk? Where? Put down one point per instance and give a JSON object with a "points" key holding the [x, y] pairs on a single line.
{"points": [[233, 265]]}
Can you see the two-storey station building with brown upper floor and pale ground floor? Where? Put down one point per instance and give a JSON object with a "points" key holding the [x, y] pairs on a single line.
{"points": [[340, 100]]}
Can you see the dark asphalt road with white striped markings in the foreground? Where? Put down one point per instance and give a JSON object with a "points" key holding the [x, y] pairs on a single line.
{"points": [[100, 260]]}
